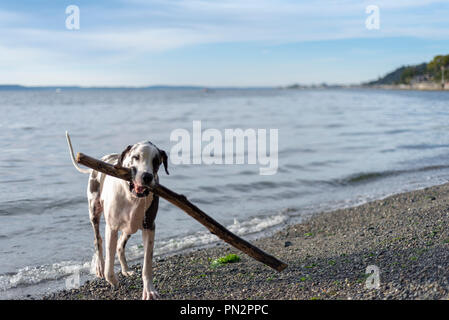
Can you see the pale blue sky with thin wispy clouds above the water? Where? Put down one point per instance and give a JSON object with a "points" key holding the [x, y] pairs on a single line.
{"points": [[215, 43]]}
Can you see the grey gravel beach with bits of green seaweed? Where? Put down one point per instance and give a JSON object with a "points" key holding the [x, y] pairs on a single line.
{"points": [[406, 236]]}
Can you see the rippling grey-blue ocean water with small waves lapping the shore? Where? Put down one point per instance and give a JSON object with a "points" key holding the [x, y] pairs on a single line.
{"points": [[337, 148]]}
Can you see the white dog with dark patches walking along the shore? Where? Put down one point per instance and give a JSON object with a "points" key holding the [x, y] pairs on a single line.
{"points": [[127, 207]]}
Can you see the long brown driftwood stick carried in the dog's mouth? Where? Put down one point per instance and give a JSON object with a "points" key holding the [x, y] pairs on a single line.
{"points": [[181, 202]]}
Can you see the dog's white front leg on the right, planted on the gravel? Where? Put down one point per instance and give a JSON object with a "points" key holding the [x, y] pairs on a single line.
{"points": [[147, 272]]}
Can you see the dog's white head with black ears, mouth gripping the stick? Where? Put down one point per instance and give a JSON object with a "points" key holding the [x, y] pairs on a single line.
{"points": [[144, 160]]}
